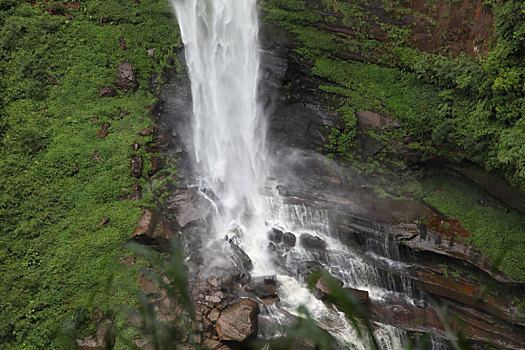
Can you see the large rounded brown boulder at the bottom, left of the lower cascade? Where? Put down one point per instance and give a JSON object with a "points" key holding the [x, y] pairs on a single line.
{"points": [[239, 321]]}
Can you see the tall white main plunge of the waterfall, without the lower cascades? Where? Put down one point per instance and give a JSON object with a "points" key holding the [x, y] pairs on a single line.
{"points": [[222, 55]]}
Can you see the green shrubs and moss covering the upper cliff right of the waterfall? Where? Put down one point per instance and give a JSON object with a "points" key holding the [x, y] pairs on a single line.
{"points": [[468, 108]]}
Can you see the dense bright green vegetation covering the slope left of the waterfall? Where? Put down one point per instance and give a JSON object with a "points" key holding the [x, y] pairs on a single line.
{"points": [[59, 178]]}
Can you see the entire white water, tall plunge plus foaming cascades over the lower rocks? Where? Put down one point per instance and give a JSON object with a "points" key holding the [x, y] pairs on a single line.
{"points": [[220, 38]]}
